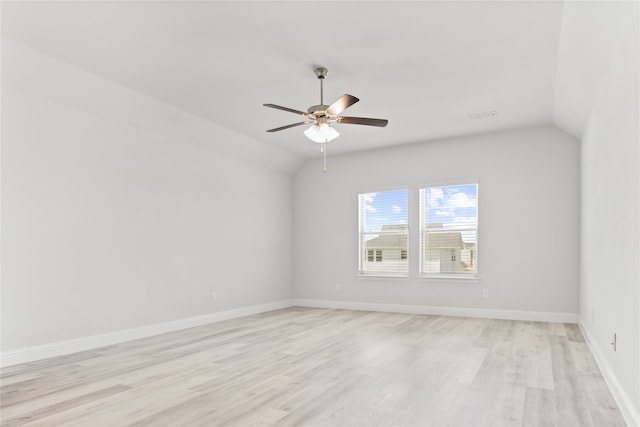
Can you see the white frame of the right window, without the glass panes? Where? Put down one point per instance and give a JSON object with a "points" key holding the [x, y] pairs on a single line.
{"points": [[474, 275]]}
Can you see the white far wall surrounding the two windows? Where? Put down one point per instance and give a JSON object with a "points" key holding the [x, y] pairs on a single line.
{"points": [[528, 222]]}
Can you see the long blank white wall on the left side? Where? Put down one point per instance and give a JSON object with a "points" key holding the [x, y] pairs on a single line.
{"points": [[108, 225]]}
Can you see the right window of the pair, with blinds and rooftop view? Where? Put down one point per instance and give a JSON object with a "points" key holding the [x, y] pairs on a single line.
{"points": [[449, 230]]}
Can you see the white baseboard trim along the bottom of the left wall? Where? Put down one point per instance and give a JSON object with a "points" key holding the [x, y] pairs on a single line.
{"points": [[45, 351]]}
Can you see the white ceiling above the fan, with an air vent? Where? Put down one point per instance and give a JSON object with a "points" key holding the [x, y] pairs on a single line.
{"points": [[425, 66]]}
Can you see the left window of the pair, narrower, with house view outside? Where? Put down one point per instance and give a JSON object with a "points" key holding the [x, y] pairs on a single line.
{"points": [[384, 233]]}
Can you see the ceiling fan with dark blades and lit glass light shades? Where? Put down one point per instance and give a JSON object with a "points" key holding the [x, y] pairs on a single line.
{"points": [[322, 116]]}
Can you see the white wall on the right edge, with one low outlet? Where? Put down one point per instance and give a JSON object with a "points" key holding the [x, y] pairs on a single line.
{"points": [[610, 247]]}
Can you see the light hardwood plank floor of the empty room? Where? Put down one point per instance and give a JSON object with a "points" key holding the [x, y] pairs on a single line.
{"points": [[302, 366]]}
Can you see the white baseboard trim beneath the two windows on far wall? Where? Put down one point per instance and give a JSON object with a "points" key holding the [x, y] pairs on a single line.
{"points": [[537, 316]]}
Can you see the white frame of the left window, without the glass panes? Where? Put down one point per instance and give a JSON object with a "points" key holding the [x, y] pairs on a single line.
{"points": [[362, 251]]}
